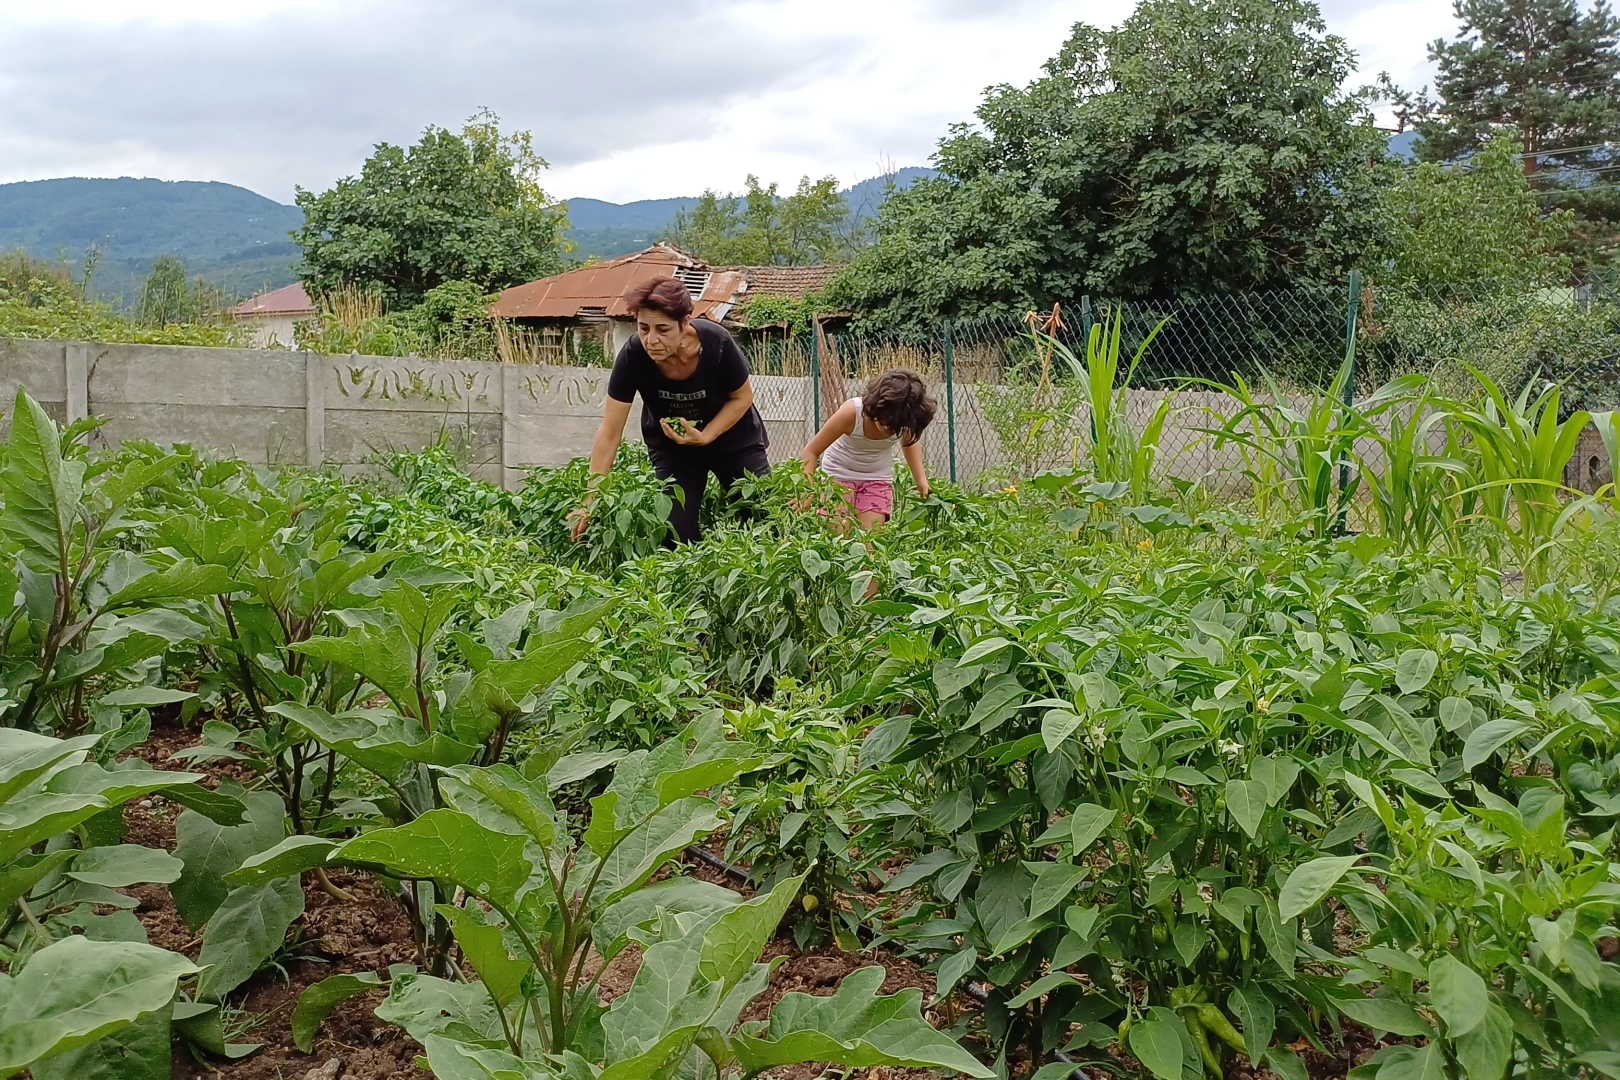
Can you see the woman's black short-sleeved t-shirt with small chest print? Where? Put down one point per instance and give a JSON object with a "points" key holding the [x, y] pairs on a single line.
{"points": [[699, 398]]}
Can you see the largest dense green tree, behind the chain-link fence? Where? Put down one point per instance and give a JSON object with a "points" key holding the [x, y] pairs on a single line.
{"points": [[1201, 147]]}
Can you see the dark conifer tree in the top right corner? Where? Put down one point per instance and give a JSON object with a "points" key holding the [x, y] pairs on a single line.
{"points": [[1551, 72]]}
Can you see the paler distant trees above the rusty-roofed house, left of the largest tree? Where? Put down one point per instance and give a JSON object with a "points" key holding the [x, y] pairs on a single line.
{"points": [[762, 227]]}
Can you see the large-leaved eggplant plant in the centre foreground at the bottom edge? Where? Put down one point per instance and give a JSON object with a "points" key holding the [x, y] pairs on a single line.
{"points": [[540, 896]]}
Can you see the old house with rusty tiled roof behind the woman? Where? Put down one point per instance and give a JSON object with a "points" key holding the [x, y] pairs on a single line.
{"points": [[581, 312]]}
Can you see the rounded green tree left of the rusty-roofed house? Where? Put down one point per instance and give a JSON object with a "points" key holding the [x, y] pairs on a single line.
{"points": [[453, 208]]}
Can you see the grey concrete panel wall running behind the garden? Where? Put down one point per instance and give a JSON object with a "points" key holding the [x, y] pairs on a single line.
{"points": [[288, 407]]}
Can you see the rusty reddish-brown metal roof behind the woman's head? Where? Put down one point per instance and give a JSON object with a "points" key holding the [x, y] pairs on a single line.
{"points": [[602, 286]]}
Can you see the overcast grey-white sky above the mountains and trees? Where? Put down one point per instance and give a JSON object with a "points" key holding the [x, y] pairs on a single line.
{"points": [[628, 101]]}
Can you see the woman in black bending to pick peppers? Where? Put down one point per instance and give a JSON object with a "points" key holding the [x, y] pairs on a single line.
{"points": [[697, 404]]}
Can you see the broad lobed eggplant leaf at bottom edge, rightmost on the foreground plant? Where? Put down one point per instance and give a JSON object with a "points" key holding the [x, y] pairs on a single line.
{"points": [[855, 1027]]}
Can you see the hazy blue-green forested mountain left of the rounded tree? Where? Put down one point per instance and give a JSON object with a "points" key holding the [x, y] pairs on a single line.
{"points": [[231, 237]]}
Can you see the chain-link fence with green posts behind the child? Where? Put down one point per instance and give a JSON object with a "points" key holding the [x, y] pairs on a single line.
{"points": [[1010, 407]]}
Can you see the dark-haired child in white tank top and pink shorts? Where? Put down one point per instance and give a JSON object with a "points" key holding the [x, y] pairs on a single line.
{"points": [[856, 444]]}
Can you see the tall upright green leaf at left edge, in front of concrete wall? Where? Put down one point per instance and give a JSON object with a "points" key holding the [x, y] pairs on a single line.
{"points": [[41, 491]]}
